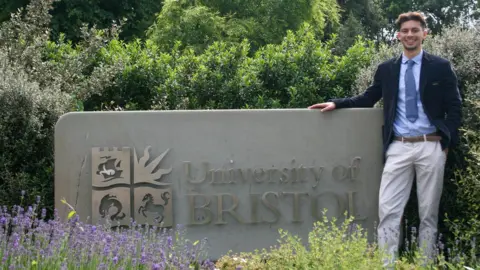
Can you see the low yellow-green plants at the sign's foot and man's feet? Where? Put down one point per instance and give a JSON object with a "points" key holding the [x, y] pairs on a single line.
{"points": [[337, 244]]}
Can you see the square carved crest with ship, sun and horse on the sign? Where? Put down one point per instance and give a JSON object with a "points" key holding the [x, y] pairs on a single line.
{"points": [[119, 197]]}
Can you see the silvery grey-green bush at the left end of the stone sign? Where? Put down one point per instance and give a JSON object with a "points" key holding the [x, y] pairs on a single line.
{"points": [[40, 81]]}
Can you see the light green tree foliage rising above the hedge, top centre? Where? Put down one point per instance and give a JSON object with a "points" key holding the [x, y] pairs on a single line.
{"points": [[197, 24]]}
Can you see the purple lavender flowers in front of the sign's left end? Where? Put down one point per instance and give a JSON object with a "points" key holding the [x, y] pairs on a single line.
{"points": [[82, 243]]}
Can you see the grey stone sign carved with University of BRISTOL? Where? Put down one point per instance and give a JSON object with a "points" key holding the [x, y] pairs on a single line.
{"points": [[233, 176]]}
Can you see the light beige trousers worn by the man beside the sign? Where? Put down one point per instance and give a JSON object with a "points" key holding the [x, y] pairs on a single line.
{"points": [[403, 160]]}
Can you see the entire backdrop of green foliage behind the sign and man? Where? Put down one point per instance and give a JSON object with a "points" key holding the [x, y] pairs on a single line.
{"points": [[214, 54]]}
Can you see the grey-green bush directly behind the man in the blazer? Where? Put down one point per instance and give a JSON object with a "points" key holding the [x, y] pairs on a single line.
{"points": [[461, 197]]}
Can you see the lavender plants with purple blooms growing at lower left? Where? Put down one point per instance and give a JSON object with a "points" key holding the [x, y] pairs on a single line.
{"points": [[29, 241]]}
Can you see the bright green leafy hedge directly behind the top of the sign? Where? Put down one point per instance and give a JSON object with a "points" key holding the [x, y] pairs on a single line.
{"points": [[295, 73]]}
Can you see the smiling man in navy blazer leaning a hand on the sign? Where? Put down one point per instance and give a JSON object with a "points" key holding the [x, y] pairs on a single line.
{"points": [[422, 114]]}
